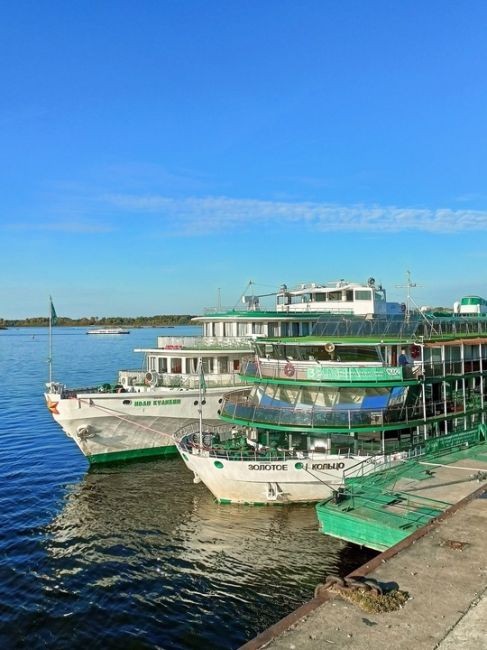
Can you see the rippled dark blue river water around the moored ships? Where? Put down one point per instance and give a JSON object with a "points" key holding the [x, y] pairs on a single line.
{"points": [[134, 555]]}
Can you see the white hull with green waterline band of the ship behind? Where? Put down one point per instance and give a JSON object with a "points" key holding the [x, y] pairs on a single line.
{"points": [[118, 426]]}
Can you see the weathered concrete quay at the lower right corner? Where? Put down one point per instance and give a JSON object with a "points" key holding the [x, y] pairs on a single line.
{"points": [[442, 566]]}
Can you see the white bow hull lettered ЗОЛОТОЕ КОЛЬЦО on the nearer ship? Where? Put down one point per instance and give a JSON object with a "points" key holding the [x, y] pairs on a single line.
{"points": [[257, 481]]}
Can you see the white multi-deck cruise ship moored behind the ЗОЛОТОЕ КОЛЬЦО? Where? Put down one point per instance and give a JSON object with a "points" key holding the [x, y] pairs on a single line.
{"points": [[138, 415]]}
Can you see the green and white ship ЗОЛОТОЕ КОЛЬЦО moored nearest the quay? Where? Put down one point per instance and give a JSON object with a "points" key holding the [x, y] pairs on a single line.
{"points": [[360, 388]]}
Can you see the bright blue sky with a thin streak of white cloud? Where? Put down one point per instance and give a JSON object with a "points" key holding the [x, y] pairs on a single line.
{"points": [[153, 152]]}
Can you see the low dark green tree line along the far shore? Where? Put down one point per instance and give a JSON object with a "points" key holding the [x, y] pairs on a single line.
{"points": [[108, 321]]}
